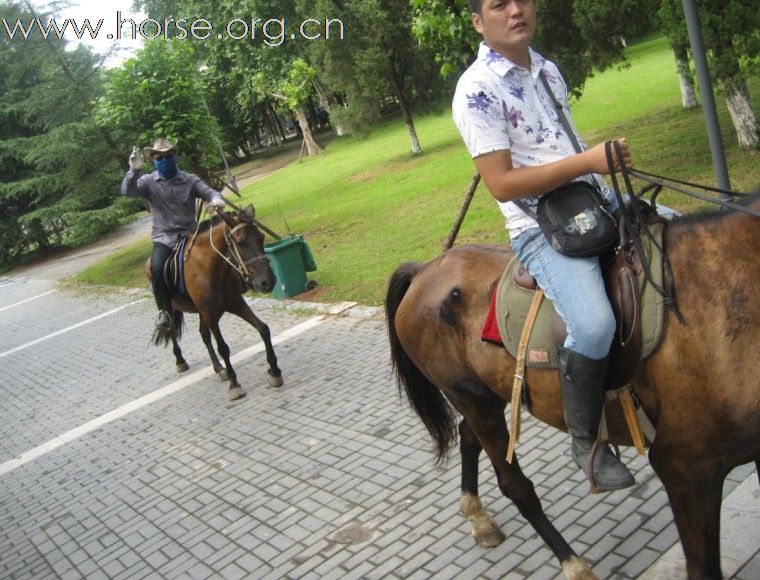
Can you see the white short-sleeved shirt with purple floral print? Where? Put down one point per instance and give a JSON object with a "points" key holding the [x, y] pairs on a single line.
{"points": [[499, 105]]}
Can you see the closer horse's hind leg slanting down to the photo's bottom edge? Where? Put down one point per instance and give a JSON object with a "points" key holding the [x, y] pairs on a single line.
{"points": [[484, 413]]}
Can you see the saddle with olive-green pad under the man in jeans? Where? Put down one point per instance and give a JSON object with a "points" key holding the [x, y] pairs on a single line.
{"points": [[639, 309]]}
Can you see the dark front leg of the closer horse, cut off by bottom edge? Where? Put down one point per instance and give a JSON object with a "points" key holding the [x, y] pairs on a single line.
{"points": [[694, 489]]}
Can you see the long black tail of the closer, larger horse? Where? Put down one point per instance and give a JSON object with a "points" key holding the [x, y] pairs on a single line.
{"points": [[424, 397]]}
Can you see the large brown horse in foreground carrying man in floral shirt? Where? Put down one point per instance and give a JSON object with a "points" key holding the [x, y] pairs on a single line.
{"points": [[700, 387]]}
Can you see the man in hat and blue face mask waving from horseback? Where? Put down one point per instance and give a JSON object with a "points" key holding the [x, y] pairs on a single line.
{"points": [[171, 196]]}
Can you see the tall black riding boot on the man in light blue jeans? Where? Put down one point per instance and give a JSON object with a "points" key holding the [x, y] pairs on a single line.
{"points": [[582, 382]]}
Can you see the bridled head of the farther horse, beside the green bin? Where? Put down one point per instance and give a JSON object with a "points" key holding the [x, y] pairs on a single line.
{"points": [[247, 241]]}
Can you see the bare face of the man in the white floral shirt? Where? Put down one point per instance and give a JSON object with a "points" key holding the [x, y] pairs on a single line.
{"points": [[506, 25]]}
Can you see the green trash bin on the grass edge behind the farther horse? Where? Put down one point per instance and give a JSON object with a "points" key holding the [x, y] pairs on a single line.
{"points": [[290, 259]]}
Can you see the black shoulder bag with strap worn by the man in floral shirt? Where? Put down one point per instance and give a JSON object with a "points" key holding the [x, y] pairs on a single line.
{"points": [[574, 217]]}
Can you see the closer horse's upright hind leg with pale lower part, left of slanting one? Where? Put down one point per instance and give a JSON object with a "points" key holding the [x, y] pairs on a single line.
{"points": [[486, 533]]}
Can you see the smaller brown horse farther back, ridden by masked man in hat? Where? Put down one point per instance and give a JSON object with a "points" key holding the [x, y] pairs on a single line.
{"points": [[226, 258]]}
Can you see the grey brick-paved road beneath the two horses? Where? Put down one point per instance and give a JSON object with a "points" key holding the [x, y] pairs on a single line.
{"points": [[330, 476]]}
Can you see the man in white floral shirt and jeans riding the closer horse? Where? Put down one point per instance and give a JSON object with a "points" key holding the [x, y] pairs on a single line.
{"points": [[505, 114]]}
